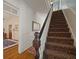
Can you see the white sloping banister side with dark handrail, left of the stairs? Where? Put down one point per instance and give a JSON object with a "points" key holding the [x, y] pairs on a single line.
{"points": [[43, 33]]}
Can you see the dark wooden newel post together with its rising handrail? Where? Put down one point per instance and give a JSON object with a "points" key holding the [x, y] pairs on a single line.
{"points": [[38, 36]]}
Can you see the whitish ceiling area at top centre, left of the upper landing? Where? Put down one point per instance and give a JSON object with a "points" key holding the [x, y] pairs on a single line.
{"points": [[37, 5]]}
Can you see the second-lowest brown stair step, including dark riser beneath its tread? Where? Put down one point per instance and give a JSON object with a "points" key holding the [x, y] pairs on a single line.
{"points": [[70, 49]]}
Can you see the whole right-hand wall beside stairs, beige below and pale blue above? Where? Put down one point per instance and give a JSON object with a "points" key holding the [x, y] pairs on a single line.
{"points": [[70, 14]]}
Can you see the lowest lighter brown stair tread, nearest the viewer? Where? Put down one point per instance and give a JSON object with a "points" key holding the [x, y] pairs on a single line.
{"points": [[59, 54]]}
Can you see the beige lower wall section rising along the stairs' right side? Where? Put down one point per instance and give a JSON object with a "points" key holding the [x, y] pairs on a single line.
{"points": [[71, 20]]}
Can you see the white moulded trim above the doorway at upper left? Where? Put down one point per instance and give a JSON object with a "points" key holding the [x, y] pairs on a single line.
{"points": [[12, 8]]}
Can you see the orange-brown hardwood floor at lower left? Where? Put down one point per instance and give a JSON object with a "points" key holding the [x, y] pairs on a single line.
{"points": [[12, 53]]}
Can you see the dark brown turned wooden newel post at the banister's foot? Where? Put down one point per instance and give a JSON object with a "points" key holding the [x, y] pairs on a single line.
{"points": [[36, 44]]}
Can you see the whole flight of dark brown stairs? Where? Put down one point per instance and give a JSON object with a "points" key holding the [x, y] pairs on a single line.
{"points": [[59, 44]]}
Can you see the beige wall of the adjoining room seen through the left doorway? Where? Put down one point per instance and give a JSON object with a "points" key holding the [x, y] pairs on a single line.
{"points": [[13, 20]]}
